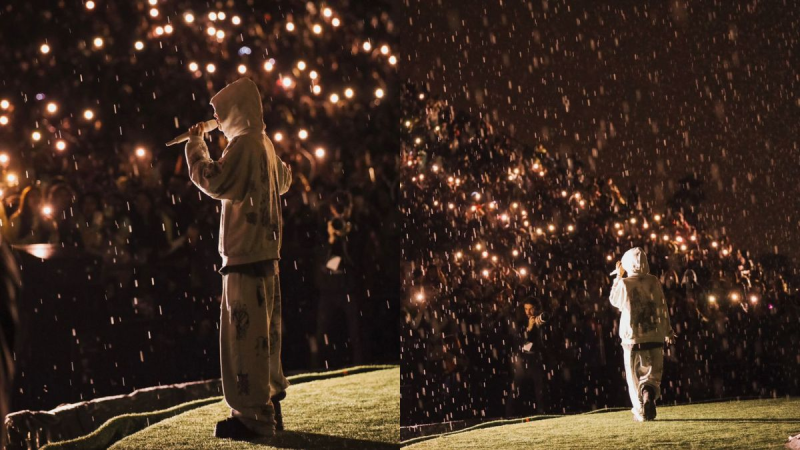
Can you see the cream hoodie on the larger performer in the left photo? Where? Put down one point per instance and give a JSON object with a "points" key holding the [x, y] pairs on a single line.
{"points": [[249, 177]]}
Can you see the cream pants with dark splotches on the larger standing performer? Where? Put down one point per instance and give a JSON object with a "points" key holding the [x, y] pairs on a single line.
{"points": [[250, 347]]}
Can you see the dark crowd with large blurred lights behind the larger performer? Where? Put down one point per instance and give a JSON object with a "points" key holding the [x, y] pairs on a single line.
{"points": [[85, 170]]}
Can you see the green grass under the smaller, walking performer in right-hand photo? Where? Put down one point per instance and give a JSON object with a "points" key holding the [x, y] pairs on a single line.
{"points": [[739, 424]]}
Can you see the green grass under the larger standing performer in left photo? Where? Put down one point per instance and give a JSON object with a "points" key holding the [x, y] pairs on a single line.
{"points": [[355, 411]]}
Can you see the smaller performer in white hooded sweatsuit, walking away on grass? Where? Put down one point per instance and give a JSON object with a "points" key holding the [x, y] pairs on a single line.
{"points": [[643, 327]]}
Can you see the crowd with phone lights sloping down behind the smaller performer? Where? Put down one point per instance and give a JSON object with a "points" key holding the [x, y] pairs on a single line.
{"points": [[507, 255]]}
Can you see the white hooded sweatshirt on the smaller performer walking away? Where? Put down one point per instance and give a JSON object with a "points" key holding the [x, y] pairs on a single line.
{"points": [[645, 317]]}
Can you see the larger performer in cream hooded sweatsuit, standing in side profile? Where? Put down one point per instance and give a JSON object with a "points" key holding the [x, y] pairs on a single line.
{"points": [[249, 179]]}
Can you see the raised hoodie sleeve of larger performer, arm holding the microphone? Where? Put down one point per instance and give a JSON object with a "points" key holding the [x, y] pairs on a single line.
{"points": [[226, 178]]}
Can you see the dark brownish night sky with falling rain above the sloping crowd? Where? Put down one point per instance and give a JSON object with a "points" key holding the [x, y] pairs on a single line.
{"points": [[646, 94]]}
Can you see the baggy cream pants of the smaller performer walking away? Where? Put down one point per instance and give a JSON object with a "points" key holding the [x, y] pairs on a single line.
{"points": [[642, 367]]}
